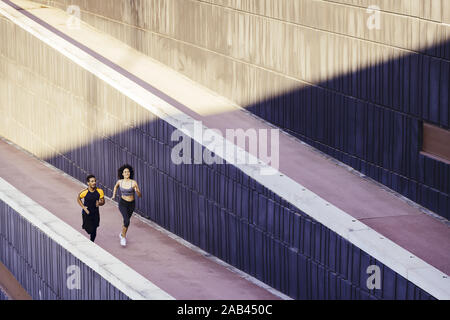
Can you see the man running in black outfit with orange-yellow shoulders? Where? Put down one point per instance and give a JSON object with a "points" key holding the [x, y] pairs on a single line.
{"points": [[93, 198]]}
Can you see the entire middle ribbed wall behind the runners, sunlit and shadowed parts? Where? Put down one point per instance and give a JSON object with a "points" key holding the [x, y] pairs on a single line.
{"points": [[45, 99]]}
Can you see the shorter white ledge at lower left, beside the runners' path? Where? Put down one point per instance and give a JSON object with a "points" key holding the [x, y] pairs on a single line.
{"points": [[117, 273]]}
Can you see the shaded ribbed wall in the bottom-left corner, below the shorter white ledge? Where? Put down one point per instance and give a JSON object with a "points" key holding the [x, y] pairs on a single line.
{"points": [[41, 265]]}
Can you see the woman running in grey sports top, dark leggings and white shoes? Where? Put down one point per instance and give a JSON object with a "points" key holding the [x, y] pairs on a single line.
{"points": [[126, 204]]}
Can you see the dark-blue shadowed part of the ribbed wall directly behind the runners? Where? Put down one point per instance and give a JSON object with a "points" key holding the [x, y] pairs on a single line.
{"points": [[228, 214]]}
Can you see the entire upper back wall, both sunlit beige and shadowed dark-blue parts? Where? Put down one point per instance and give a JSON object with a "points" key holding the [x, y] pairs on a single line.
{"points": [[299, 64]]}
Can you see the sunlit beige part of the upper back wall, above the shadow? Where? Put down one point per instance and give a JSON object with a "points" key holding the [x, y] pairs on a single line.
{"points": [[248, 51]]}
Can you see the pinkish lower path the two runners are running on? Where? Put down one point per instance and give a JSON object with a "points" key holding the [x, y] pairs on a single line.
{"points": [[180, 271]]}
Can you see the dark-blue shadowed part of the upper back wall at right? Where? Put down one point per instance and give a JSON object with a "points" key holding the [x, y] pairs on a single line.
{"points": [[372, 121]]}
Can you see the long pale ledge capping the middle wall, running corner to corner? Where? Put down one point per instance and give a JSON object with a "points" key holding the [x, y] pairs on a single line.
{"points": [[430, 279]]}
